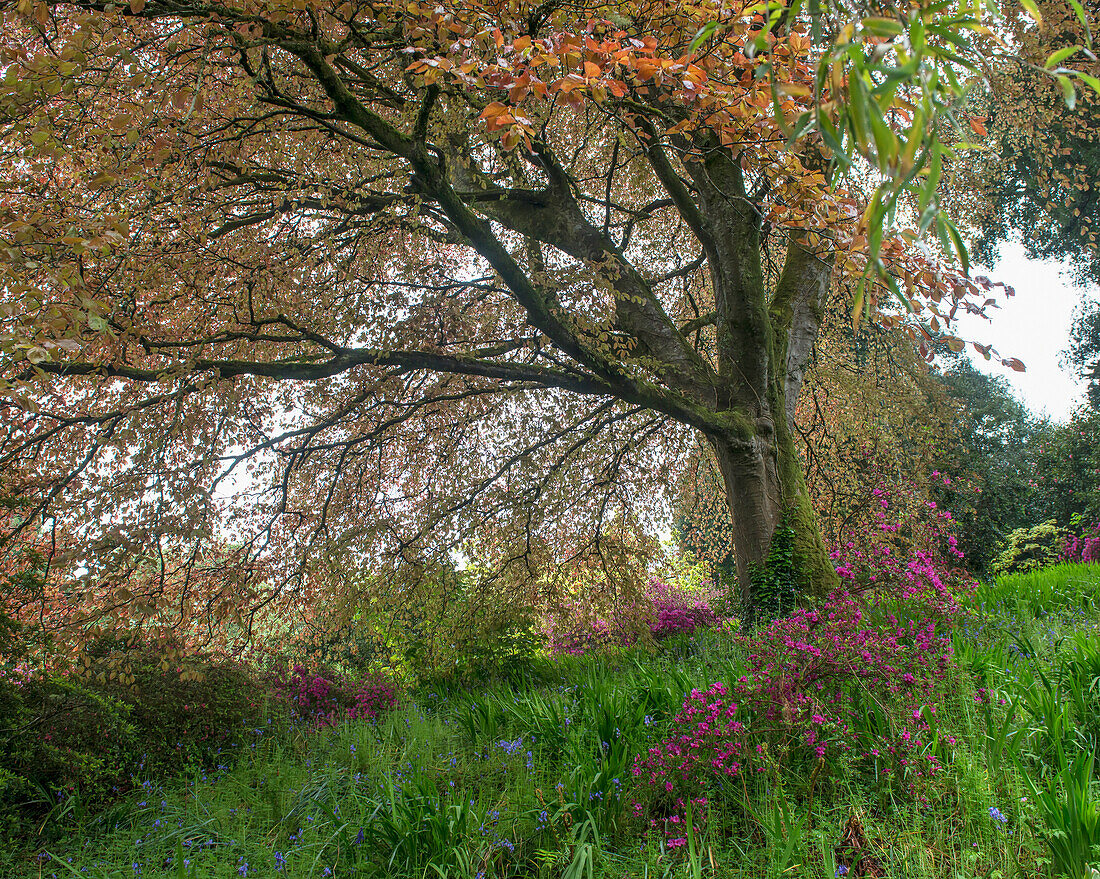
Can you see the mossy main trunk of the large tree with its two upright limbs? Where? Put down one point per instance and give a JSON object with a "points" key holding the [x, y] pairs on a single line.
{"points": [[771, 343]]}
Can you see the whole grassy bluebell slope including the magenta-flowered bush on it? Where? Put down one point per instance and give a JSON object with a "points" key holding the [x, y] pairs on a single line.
{"points": [[921, 731]]}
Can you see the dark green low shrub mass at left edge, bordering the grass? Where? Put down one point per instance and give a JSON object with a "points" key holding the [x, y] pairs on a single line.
{"points": [[72, 743]]}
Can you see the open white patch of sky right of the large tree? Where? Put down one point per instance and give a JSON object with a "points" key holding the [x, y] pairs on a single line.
{"points": [[1033, 326]]}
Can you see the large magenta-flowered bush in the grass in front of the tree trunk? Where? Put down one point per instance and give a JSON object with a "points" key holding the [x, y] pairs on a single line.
{"points": [[856, 680]]}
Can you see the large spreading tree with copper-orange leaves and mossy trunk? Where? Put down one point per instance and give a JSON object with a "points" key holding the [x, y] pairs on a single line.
{"points": [[433, 273]]}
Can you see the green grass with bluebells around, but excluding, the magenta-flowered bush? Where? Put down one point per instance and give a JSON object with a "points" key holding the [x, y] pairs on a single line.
{"points": [[536, 782]]}
